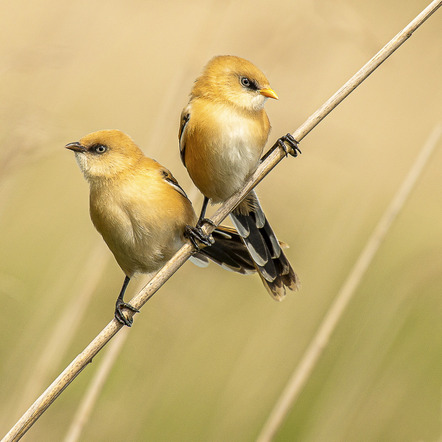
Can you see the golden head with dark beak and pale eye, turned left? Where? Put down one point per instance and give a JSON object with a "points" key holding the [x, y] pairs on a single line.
{"points": [[105, 154]]}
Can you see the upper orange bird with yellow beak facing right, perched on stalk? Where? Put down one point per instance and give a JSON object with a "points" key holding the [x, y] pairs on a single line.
{"points": [[223, 131]]}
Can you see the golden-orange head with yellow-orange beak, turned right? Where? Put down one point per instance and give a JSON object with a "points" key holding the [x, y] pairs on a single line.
{"points": [[236, 80]]}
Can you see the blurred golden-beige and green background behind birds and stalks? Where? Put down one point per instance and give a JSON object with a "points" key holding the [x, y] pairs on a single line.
{"points": [[210, 354]]}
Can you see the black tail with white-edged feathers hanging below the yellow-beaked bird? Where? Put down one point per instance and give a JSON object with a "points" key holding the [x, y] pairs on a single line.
{"points": [[271, 263]]}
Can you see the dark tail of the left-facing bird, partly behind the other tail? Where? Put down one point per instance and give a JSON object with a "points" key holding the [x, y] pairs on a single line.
{"points": [[228, 251]]}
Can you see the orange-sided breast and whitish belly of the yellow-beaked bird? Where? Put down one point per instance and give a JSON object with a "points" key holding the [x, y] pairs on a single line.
{"points": [[223, 146]]}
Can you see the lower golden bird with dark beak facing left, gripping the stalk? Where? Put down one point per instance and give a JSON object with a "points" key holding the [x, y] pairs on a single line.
{"points": [[143, 214]]}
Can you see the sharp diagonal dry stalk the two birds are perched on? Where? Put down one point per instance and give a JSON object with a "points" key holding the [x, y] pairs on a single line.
{"points": [[272, 159]]}
